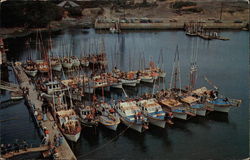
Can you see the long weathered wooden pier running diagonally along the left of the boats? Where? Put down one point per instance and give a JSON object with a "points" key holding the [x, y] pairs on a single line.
{"points": [[64, 151]]}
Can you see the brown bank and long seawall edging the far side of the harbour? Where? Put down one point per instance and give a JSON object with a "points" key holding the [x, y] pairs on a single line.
{"points": [[22, 32]]}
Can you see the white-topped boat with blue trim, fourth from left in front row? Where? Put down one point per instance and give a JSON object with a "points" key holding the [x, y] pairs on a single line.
{"points": [[131, 115]]}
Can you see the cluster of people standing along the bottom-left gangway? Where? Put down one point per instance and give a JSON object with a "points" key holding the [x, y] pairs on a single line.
{"points": [[7, 148]]}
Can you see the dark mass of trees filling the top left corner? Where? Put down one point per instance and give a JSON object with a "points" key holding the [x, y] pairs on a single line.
{"points": [[30, 14]]}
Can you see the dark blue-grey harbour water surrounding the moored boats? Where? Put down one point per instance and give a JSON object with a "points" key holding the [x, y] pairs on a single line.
{"points": [[216, 136]]}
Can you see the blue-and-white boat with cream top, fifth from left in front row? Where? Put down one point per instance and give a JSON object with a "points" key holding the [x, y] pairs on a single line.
{"points": [[153, 111]]}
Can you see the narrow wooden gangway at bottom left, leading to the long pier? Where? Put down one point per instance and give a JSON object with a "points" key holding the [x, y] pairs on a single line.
{"points": [[28, 150]]}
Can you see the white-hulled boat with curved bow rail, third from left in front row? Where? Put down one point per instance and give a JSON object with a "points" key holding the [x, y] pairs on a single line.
{"points": [[108, 116]]}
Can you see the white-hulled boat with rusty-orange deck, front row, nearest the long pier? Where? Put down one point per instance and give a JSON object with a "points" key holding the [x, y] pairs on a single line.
{"points": [[69, 124]]}
